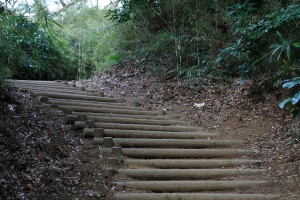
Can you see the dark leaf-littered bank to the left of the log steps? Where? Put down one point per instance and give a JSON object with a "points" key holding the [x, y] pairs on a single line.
{"points": [[44, 158]]}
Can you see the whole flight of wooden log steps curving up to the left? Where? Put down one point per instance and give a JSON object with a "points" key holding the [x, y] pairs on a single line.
{"points": [[153, 155]]}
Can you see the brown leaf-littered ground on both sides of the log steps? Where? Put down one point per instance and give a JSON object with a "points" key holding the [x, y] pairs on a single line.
{"points": [[44, 158]]}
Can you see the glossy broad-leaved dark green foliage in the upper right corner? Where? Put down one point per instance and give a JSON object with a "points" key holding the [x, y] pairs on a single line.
{"points": [[264, 48]]}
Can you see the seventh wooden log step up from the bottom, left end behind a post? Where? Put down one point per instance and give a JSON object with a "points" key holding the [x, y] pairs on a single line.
{"points": [[118, 133]]}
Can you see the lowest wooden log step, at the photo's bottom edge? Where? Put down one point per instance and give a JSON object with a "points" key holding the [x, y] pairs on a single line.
{"points": [[193, 196]]}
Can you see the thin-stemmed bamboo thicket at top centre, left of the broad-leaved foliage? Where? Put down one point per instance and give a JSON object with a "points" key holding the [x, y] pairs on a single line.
{"points": [[173, 35]]}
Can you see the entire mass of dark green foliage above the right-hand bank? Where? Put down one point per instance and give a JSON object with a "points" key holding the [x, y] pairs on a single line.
{"points": [[258, 39]]}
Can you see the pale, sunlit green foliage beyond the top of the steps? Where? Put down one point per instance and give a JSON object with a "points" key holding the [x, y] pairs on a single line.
{"points": [[90, 39]]}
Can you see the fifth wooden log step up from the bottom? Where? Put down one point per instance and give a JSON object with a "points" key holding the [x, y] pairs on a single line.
{"points": [[183, 153]]}
